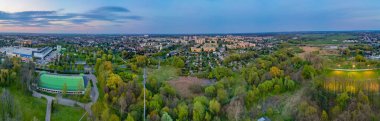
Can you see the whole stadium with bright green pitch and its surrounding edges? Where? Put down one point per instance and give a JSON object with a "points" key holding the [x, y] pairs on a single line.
{"points": [[53, 83]]}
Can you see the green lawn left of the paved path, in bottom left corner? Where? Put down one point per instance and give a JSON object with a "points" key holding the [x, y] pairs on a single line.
{"points": [[29, 106]]}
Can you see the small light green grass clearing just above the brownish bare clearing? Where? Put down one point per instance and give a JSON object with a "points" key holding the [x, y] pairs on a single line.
{"points": [[165, 73]]}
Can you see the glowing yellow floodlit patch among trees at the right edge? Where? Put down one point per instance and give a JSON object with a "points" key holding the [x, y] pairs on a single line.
{"points": [[352, 80]]}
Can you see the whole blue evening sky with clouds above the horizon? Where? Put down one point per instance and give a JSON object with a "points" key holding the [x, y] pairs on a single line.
{"points": [[187, 16]]}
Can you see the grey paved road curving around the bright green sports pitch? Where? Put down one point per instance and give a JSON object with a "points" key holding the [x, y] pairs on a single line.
{"points": [[68, 102]]}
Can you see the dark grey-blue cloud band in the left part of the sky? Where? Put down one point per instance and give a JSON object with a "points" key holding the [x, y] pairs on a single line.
{"points": [[49, 18]]}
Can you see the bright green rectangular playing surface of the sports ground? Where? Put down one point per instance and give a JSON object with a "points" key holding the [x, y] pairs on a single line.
{"points": [[57, 81]]}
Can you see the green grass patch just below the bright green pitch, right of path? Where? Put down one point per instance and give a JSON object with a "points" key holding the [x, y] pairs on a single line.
{"points": [[65, 113]]}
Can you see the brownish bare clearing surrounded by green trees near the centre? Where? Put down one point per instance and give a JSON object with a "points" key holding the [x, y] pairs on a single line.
{"points": [[183, 85]]}
